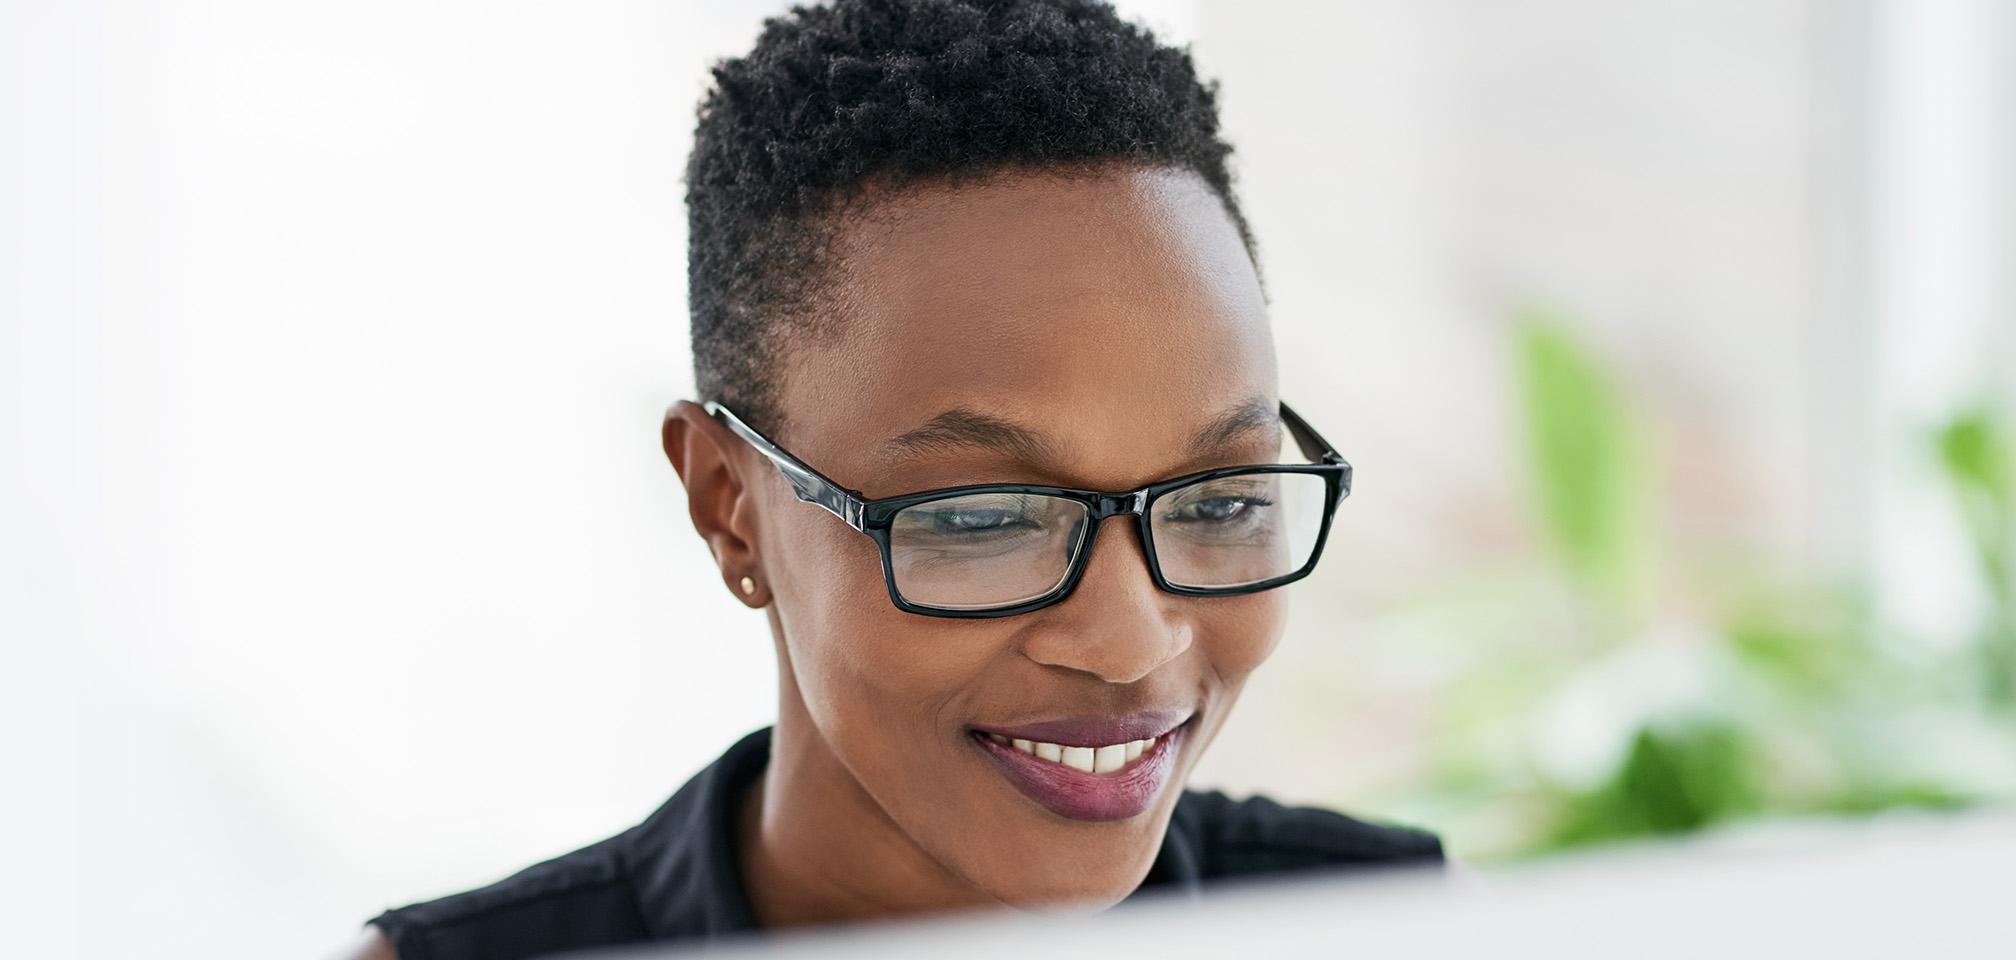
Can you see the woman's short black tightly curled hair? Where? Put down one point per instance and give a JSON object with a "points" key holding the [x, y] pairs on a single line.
{"points": [[836, 100]]}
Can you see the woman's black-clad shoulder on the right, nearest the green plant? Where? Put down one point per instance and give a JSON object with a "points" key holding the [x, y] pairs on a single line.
{"points": [[1263, 836]]}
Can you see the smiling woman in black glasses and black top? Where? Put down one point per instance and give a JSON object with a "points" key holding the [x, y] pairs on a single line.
{"points": [[951, 245]]}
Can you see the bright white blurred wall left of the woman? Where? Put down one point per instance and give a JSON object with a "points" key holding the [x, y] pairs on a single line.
{"points": [[342, 344]]}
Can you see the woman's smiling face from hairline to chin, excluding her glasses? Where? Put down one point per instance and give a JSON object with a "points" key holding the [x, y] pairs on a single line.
{"points": [[1098, 334]]}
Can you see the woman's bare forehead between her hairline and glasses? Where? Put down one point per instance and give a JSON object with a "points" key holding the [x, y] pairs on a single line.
{"points": [[1118, 314]]}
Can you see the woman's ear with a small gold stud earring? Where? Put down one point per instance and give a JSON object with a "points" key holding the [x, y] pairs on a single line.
{"points": [[717, 497]]}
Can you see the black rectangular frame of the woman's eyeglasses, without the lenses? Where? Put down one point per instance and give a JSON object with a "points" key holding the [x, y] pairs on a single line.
{"points": [[874, 517]]}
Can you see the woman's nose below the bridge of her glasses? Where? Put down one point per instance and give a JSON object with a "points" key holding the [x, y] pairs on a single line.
{"points": [[1116, 624]]}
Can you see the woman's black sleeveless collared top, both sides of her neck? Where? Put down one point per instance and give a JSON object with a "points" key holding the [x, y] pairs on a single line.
{"points": [[676, 874]]}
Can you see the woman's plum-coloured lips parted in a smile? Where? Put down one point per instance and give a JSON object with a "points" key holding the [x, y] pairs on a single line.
{"points": [[1082, 796]]}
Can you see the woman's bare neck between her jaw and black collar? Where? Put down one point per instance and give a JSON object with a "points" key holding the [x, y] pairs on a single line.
{"points": [[820, 850]]}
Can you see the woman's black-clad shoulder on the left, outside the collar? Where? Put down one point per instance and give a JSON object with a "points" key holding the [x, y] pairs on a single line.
{"points": [[570, 903]]}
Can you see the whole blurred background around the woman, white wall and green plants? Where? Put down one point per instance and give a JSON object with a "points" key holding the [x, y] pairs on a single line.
{"points": [[1674, 348]]}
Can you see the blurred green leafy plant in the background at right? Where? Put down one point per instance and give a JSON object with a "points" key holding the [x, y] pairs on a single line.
{"points": [[1749, 699]]}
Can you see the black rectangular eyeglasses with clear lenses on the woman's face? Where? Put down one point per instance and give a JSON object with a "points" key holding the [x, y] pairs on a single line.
{"points": [[1003, 550]]}
